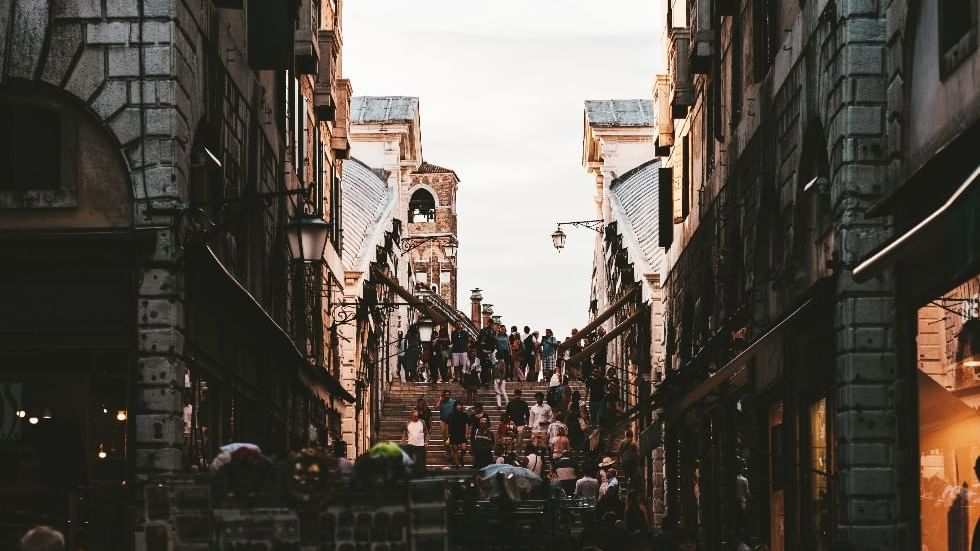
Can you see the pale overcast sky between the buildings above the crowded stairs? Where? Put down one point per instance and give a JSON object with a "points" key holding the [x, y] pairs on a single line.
{"points": [[501, 87]]}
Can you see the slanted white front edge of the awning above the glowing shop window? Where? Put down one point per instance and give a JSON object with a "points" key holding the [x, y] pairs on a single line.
{"points": [[926, 233]]}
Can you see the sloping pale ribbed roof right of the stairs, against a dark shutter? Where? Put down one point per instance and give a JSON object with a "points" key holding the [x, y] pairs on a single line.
{"points": [[634, 198]]}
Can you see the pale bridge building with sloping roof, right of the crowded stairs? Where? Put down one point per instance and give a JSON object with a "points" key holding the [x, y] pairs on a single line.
{"points": [[618, 149]]}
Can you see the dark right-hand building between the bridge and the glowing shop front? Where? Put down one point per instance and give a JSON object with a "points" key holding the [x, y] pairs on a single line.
{"points": [[780, 395]]}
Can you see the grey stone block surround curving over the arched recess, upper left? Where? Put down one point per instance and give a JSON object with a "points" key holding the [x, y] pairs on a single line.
{"points": [[86, 49]]}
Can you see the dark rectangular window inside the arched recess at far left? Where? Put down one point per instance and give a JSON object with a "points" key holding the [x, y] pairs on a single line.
{"points": [[37, 152]]}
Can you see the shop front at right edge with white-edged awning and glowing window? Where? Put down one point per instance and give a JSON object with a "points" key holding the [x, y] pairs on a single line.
{"points": [[934, 256]]}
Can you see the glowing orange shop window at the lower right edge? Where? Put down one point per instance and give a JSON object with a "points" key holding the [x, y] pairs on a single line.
{"points": [[948, 382]]}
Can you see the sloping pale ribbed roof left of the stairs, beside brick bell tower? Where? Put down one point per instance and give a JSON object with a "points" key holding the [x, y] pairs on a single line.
{"points": [[363, 205]]}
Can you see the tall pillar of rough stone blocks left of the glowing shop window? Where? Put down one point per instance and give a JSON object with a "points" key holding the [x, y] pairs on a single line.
{"points": [[867, 433]]}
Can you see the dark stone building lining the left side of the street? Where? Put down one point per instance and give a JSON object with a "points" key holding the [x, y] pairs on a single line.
{"points": [[153, 154]]}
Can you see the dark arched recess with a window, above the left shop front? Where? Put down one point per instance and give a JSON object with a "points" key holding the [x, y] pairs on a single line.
{"points": [[83, 180]]}
